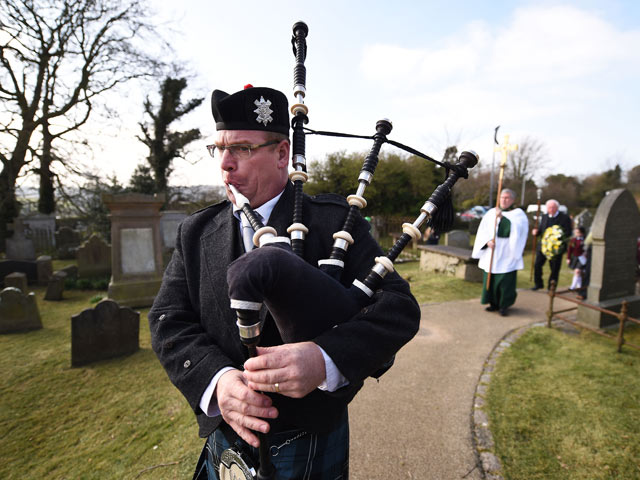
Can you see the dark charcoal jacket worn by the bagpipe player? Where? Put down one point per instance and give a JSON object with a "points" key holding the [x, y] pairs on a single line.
{"points": [[193, 328]]}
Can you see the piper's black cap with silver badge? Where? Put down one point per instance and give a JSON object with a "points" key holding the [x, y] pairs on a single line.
{"points": [[254, 108]]}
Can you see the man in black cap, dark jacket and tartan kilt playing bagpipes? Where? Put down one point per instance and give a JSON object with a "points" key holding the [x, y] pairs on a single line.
{"points": [[294, 394]]}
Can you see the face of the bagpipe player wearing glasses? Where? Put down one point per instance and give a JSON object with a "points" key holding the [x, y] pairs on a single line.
{"points": [[261, 176]]}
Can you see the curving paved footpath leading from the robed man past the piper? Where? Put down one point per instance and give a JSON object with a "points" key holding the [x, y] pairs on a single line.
{"points": [[415, 423]]}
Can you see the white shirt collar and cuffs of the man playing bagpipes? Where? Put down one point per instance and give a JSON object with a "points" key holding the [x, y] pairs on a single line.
{"points": [[334, 378]]}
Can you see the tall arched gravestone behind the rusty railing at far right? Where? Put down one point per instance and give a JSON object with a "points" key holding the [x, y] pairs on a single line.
{"points": [[615, 230]]}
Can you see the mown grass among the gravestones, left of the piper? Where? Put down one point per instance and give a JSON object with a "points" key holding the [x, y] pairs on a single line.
{"points": [[112, 419]]}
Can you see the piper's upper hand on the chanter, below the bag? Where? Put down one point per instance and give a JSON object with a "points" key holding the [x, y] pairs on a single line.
{"points": [[297, 368]]}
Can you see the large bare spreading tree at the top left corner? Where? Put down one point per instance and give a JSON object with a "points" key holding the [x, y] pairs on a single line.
{"points": [[57, 57]]}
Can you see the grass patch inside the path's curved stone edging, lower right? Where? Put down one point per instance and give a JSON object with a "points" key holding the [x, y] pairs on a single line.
{"points": [[566, 407]]}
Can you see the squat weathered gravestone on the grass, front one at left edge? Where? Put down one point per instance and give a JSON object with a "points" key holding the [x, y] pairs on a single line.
{"points": [[18, 311]]}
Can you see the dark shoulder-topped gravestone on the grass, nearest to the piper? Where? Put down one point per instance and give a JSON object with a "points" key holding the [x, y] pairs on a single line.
{"points": [[106, 331]]}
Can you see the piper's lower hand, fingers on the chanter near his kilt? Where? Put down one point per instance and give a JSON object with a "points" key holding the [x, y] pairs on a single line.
{"points": [[242, 408]]}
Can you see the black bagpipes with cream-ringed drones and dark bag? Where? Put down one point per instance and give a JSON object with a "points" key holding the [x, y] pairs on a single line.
{"points": [[263, 275]]}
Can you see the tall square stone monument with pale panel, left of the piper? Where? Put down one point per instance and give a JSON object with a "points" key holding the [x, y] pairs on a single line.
{"points": [[136, 259]]}
